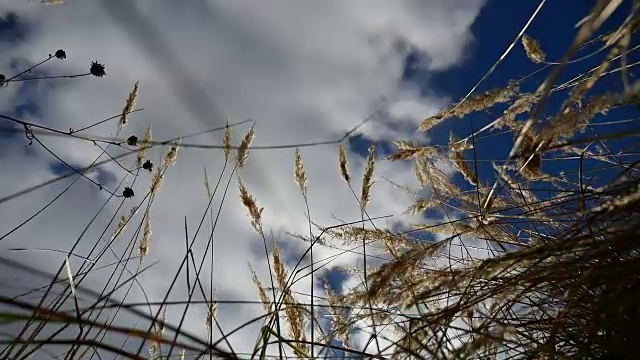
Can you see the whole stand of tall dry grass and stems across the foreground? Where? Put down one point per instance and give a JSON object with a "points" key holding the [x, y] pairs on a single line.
{"points": [[534, 256]]}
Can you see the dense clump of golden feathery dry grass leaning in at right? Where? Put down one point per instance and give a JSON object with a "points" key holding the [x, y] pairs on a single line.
{"points": [[539, 265]]}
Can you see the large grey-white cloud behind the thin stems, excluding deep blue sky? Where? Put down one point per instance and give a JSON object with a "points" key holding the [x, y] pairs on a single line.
{"points": [[304, 71]]}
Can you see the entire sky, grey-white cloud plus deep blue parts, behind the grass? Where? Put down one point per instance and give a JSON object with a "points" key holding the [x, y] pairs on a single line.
{"points": [[302, 72]]}
